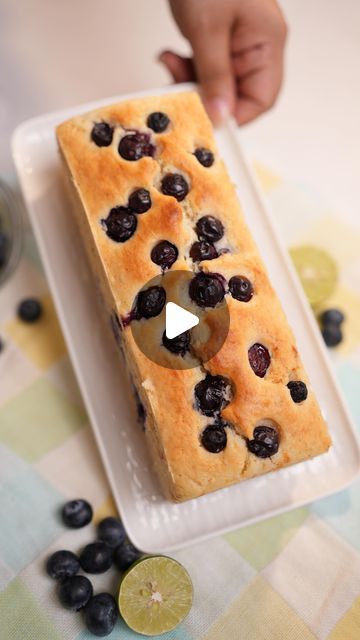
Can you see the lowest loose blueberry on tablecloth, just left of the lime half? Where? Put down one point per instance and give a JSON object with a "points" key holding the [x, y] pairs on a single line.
{"points": [[101, 613]]}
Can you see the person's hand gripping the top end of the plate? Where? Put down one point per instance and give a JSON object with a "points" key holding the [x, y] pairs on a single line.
{"points": [[238, 48]]}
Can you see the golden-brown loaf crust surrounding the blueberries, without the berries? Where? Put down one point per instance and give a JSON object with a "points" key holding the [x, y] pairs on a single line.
{"points": [[102, 180]]}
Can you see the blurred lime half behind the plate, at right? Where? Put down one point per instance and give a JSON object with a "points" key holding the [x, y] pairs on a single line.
{"points": [[317, 272]]}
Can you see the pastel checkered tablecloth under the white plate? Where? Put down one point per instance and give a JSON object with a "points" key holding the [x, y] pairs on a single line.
{"points": [[294, 577]]}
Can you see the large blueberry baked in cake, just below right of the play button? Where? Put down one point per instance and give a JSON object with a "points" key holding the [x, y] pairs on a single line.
{"points": [[212, 394]]}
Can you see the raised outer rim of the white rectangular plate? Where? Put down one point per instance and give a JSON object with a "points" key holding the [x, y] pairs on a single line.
{"points": [[16, 141]]}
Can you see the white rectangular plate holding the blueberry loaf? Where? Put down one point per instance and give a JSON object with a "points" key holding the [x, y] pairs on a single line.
{"points": [[154, 524]]}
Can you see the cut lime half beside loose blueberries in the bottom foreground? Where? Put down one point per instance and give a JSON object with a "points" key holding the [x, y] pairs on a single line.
{"points": [[155, 595]]}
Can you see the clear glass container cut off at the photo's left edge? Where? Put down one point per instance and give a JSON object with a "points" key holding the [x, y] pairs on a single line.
{"points": [[11, 231]]}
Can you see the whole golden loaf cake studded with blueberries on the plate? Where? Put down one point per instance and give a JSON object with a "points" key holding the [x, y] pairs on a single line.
{"points": [[151, 196]]}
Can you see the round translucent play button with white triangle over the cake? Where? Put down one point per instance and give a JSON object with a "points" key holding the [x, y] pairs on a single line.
{"points": [[171, 328]]}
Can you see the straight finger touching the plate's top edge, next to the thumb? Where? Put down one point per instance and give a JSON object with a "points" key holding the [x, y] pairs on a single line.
{"points": [[214, 72]]}
